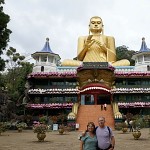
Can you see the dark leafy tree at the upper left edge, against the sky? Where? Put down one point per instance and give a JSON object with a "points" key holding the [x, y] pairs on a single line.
{"points": [[4, 33]]}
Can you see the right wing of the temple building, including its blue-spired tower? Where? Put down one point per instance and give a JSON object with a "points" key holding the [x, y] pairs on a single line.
{"points": [[132, 87]]}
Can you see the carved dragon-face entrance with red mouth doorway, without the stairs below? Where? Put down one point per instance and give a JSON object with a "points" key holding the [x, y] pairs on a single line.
{"points": [[95, 82]]}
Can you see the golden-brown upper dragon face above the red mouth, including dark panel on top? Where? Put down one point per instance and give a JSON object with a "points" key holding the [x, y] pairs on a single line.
{"points": [[95, 72]]}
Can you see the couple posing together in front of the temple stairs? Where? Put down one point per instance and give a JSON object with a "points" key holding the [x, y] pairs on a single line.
{"points": [[98, 138]]}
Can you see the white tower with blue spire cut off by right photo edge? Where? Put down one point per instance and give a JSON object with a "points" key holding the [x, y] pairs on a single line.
{"points": [[142, 58]]}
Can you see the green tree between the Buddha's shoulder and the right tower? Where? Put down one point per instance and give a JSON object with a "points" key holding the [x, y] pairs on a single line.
{"points": [[123, 53]]}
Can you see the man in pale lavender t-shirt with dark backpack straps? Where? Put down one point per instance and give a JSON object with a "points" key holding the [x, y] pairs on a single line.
{"points": [[105, 136]]}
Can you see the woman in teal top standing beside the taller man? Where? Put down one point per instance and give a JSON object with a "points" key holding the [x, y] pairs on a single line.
{"points": [[89, 140]]}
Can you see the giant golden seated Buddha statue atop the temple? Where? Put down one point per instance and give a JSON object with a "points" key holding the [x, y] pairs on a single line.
{"points": [[96, 47]]}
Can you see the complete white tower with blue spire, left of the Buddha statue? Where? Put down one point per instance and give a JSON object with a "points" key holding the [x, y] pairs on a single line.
{"points": [[46, 60]]}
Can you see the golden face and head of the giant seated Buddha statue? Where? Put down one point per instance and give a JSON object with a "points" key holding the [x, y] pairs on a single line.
{"points": [[96, 24]]}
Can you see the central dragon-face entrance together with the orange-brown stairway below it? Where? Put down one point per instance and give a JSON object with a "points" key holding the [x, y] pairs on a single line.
{"points": [[95, 82]]}
